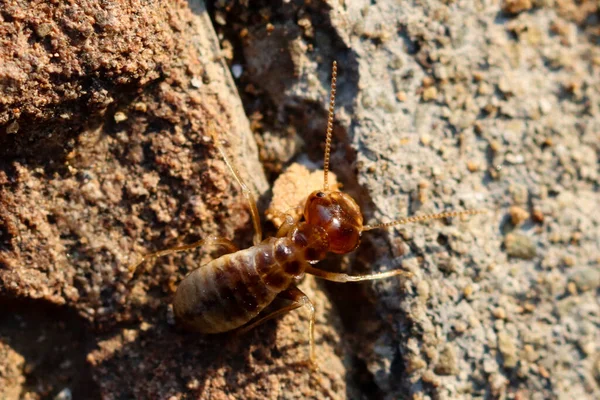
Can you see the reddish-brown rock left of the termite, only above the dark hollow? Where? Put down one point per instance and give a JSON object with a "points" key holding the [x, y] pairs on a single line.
{"points": [[141, 176]]}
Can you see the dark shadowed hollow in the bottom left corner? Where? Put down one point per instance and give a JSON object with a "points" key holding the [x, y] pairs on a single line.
{"points": [[49, 345]]}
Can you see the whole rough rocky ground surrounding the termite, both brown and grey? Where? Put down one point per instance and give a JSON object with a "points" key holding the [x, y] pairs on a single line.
{"points": [[105, 154]]}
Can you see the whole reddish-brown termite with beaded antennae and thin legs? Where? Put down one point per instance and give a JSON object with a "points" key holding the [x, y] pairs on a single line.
{"points": [[230, 292]]}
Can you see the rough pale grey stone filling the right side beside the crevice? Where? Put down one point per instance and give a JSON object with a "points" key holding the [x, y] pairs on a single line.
{"points": [[450, 105]]}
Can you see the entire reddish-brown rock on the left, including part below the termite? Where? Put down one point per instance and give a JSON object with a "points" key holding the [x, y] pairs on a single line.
{"points": [[105, 112]]}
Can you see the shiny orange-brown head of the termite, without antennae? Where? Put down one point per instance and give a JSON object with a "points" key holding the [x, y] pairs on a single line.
{"points": [[338, 215]]}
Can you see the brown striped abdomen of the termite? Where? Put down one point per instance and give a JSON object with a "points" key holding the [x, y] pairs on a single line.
{"points": [[231, 290]]}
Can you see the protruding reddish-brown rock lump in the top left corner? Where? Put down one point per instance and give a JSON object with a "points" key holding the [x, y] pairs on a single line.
{"points": [[65, 64]]}
